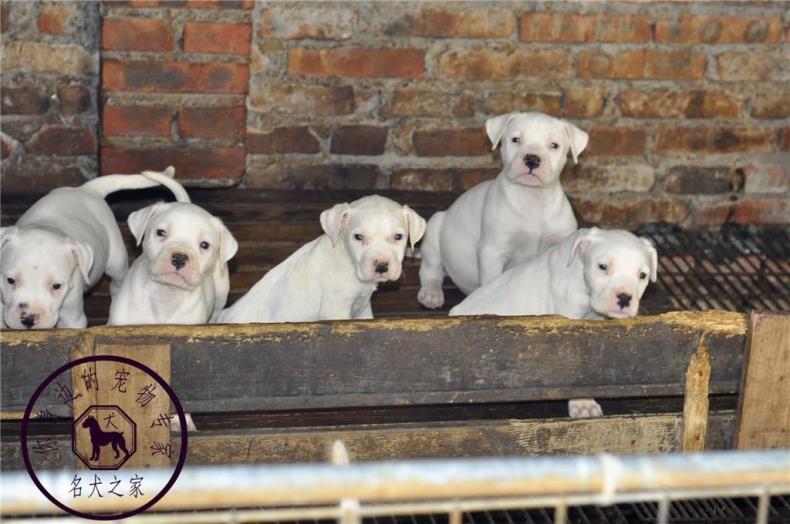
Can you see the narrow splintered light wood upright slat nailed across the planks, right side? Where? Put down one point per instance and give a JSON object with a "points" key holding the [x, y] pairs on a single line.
{"points": [[695, 407]]}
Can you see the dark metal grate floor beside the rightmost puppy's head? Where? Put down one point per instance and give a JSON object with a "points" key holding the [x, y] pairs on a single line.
{"points": [[738, 268]]}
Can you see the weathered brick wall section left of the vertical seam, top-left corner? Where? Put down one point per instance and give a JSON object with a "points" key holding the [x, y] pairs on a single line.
{"points": [[48, 86]]}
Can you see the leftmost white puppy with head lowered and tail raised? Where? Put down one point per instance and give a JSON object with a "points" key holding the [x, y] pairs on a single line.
{"points": [[59, 248]]}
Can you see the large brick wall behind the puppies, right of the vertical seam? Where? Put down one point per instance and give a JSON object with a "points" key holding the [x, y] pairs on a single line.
{"points": [[687, 104]]}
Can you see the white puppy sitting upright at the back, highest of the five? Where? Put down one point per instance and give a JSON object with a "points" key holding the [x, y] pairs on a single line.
{"points": [[501, 222]]}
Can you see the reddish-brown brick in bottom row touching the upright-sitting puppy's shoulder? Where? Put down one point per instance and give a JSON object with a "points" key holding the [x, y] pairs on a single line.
{"points": [[629, 211]]}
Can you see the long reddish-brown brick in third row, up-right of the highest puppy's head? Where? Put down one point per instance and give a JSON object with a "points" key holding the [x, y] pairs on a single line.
{"points": [[676, 104]]}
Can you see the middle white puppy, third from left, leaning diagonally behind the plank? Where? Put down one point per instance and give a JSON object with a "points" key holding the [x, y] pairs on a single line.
{"points": [[334, 276]]}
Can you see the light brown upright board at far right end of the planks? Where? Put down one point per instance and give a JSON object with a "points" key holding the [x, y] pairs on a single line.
{"points": [[764, 410]]}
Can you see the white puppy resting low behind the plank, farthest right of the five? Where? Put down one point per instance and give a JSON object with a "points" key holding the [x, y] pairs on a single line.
{"points": [[592, 274]]}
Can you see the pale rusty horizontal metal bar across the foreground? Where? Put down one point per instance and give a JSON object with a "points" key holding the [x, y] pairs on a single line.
{"points": [[312, 484]]}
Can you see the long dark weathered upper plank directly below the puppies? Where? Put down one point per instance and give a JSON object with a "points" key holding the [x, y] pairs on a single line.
{"points": [[437, 361]]}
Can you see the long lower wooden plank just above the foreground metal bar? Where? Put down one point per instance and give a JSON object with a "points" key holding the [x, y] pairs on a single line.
{"points": [[509, 437]]}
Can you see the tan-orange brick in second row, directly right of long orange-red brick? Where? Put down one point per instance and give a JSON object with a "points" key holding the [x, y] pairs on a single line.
{"points": [[486, 64]]}
